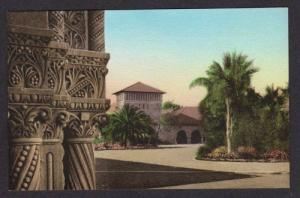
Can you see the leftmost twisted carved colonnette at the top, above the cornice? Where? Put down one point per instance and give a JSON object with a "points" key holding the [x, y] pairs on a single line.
{"points": [[56, 23]]}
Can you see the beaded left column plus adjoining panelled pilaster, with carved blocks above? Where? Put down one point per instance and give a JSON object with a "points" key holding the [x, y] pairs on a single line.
{"points": [[36, 73]]}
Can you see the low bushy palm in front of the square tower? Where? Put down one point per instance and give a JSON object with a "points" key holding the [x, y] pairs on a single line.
{"points": [[130, 124]]}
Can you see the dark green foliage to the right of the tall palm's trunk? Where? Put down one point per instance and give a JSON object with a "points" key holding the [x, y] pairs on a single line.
{"points": [[266, 124]]}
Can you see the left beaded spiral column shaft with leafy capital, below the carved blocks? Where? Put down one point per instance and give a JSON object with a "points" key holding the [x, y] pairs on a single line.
{"points": [[26, 126]]}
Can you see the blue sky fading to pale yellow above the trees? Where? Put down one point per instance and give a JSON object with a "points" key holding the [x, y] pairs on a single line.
{"points": [[167, 49]]}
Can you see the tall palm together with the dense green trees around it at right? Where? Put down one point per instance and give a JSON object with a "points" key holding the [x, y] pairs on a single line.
{"points": [[235, 115]]}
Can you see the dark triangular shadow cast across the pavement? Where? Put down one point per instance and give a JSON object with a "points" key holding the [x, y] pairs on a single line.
{"points": [[116, 174]]}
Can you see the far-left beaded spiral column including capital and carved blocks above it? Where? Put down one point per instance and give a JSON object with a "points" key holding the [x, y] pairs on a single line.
{"points": [[27, 101]]}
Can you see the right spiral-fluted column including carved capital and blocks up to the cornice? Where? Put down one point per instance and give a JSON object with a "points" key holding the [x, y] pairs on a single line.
{"points": [[85, 76]]}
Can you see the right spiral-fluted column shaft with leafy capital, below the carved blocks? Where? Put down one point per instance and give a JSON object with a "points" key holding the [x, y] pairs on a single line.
{"points": [[79, 151]]}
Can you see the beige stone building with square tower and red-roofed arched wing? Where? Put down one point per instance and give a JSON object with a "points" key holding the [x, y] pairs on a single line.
{"points": [[186, 130]]}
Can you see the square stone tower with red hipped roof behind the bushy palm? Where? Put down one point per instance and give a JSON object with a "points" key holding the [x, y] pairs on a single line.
{"points": [[145, 97]]}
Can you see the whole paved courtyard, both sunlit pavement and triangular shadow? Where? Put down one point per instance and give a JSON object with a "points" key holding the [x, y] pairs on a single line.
{"points": [[175, 166]]}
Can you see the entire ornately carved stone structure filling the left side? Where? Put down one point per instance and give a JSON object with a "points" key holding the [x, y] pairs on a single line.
{"points": [[57, 67]]}
